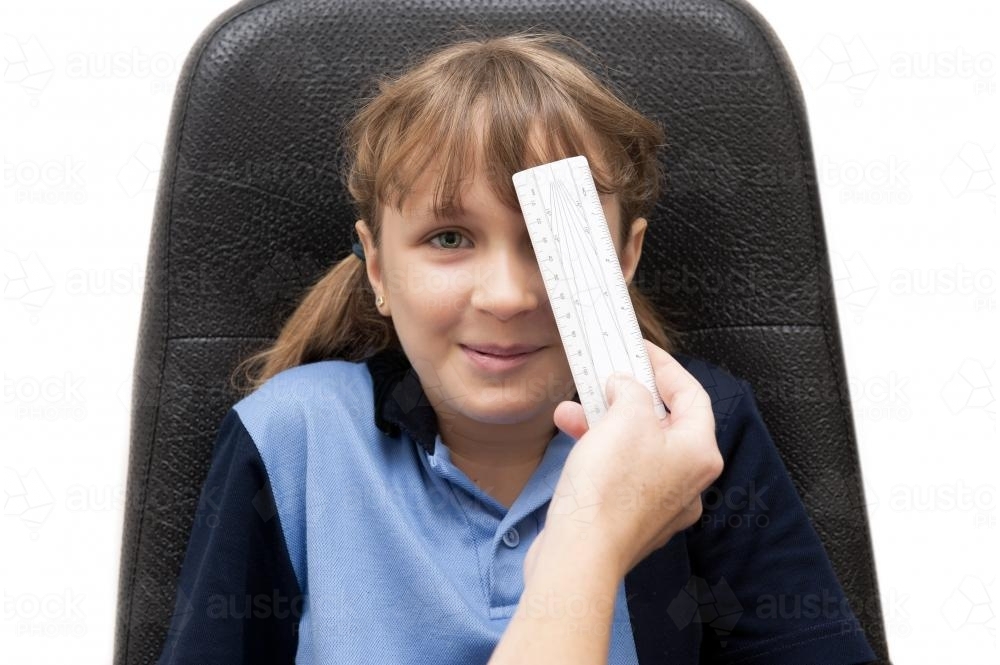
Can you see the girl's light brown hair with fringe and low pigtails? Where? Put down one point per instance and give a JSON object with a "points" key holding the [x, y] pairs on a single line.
{"points": [[522, 82]]}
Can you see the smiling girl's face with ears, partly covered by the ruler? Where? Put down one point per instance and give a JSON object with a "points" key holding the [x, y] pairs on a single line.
{"points": [[453, 284]]}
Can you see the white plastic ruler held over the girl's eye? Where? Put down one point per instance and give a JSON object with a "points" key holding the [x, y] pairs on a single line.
{"points": [[584, 280]]}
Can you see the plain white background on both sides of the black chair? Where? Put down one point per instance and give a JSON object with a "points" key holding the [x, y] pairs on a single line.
{"points": [[899, 96]]}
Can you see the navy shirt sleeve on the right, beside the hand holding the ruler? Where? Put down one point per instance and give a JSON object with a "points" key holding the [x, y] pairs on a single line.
{"points": [[766, 591]]}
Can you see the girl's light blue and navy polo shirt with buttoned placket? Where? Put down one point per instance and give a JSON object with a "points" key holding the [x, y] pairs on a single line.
{"points": [[334, 528]]}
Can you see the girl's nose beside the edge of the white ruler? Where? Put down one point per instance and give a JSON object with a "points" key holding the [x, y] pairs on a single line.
{"points": [[510, 283]]}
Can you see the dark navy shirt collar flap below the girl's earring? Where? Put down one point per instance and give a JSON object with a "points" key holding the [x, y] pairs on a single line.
{"points": [[399, 400]]}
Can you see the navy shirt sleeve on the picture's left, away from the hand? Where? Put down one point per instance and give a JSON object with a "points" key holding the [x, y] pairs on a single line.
{"points": [[238, 600]]}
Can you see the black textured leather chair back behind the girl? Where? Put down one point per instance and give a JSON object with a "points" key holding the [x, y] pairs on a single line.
{"points": [[251, 210]]}
